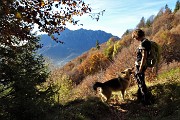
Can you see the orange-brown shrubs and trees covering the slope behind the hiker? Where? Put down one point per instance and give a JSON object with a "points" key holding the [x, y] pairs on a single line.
{"points": [[95, 66]]}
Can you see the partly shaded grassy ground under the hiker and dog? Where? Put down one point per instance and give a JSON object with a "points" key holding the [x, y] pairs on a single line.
{"points": [[166, 92]]}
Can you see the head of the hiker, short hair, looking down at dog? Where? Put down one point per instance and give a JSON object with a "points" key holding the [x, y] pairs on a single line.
{"points": [[138, 34]]}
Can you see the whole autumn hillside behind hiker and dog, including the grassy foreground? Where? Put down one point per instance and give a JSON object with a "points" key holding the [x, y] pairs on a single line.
{"points": [[76, 78]]}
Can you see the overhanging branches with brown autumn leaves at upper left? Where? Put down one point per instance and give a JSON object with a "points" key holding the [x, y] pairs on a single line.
{"points": [[18, 17]]}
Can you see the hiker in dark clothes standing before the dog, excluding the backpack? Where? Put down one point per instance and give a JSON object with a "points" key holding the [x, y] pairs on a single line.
{"points": [[140, 65]]}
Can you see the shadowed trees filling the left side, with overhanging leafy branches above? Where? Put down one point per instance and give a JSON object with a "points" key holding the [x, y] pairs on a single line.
{"points": [[24, 90]]}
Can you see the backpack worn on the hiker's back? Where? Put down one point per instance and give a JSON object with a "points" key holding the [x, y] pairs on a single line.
{"points": [[153, 55]]}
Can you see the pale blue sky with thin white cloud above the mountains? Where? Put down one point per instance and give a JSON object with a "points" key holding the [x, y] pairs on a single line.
{"points": [[120, 15]]}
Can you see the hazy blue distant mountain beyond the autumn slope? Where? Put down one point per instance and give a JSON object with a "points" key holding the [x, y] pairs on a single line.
{"points": [[75, 43]]}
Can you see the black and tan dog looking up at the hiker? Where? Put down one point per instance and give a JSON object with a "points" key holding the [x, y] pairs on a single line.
{"points": [[114, 85]]}
